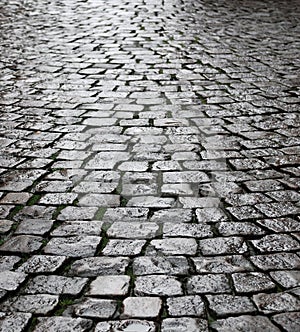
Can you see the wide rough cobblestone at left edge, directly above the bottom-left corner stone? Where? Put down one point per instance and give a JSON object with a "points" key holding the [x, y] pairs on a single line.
{"points": [[41, 304]]}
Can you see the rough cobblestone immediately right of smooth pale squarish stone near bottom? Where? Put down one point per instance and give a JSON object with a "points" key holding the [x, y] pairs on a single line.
{"points": [[191, 305]]}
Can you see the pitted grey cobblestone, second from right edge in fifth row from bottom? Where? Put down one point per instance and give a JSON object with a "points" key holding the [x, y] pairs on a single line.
{"points": [[218, 246]]}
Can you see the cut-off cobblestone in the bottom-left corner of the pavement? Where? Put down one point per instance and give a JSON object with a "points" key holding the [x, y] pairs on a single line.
{"points": [[15, 322]]}
